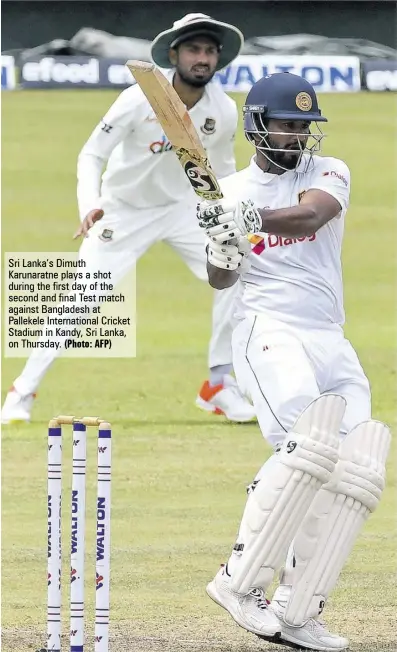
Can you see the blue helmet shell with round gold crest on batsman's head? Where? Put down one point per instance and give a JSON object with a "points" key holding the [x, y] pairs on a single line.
{"points": [[283, 96]]}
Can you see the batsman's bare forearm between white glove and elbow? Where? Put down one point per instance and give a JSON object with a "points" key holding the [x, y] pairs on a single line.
{"points": [[294, 222]]}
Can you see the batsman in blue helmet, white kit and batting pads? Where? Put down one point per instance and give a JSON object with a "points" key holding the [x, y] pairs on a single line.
{"points": [[308, 503]]}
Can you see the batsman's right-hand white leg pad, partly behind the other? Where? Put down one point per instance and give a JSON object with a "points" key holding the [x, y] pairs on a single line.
{"points": [[333, 522]]}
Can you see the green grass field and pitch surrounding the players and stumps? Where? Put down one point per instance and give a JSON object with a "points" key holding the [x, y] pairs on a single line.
{"points": [[179, 475]]}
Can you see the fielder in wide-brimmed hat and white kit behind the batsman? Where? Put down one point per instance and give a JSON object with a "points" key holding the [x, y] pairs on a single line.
{"points": [[144, 197]]}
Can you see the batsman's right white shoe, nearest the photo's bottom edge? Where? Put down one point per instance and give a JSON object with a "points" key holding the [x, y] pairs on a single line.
{"points": [[312, 636]]}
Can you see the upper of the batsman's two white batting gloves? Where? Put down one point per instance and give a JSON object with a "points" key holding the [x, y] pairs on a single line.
{"points": [[223, 220]]}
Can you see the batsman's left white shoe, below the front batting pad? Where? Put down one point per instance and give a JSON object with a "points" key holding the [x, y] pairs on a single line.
{"points": [[250, 611]]}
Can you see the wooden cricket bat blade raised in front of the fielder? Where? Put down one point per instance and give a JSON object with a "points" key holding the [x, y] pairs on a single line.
{"points": [[178, 127]]}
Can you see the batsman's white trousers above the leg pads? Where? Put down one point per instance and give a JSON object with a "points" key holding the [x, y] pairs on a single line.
{"points": [[282, 368]]}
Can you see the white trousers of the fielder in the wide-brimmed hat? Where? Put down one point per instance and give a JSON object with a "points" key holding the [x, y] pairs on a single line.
{"points": [[133, 231]]}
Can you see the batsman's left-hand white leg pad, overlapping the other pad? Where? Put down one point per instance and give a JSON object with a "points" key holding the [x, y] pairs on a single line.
{"points": [[277, 506]]}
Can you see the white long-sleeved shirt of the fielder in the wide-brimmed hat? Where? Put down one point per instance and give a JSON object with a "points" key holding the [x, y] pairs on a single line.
{"points": [[141, 168]]}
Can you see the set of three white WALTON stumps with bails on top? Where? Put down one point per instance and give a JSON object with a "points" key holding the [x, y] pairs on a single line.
{"points": [[78, 533]]}
